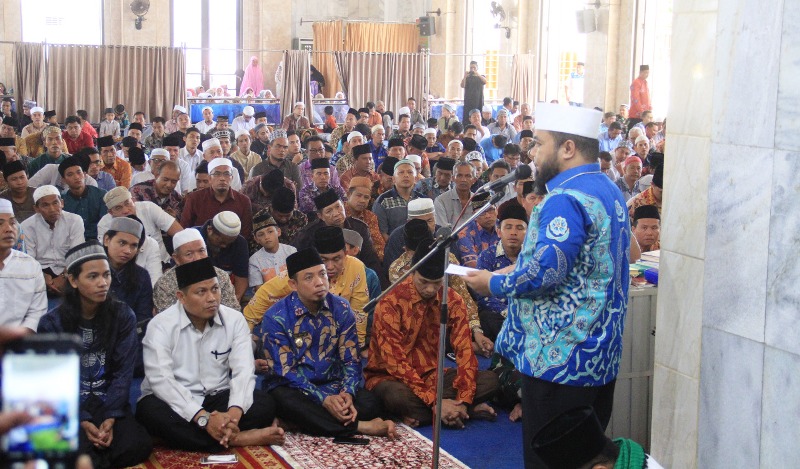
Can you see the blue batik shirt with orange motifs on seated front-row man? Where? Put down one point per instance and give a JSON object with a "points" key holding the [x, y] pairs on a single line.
{"points": [[315, 353]]}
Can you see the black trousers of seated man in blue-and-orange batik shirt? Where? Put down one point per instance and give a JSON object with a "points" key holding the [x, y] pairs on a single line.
{"points": [[312, 418]]}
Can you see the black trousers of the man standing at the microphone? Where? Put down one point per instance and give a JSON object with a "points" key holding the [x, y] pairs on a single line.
{"points": [[543, 400]]}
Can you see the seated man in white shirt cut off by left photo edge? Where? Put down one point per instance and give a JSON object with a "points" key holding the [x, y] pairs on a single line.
{"points": [[22, 289]]}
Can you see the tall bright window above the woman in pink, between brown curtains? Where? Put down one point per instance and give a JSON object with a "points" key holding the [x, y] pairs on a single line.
{"points": [[211, 56]]}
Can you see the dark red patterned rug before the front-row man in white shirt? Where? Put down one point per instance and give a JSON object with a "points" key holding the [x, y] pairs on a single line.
{"points": [[250, 457]]}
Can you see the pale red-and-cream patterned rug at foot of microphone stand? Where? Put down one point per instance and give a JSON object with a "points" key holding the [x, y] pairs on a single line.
{"points": [[410, 450]]}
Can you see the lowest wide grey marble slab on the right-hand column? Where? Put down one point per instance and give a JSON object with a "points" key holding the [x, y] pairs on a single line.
{"points": [[729, 428]]}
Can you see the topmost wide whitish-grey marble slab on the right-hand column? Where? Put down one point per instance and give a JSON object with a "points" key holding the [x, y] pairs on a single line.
{"points": [[748, 43]]}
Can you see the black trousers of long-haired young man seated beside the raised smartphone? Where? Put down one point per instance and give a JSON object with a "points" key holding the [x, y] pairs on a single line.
{"points": [[130, 444]]}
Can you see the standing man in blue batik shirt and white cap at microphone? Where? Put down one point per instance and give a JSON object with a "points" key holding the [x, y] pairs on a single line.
{"points": [[568, 292]]}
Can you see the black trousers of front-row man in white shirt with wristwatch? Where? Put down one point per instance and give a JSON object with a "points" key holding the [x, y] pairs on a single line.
{"points": [[161, 421]]}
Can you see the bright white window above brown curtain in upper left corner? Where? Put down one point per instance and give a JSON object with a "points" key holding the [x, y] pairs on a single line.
{"points": [[63, 22]]}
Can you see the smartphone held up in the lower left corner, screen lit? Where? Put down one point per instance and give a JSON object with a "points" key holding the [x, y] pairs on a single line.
{"points": [[41, 376]]}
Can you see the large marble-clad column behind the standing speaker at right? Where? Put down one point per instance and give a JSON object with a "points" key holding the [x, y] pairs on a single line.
{"points": [[726, 387]]}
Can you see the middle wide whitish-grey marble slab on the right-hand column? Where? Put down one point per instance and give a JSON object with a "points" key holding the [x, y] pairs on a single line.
{"points": [[740, 188]]}
